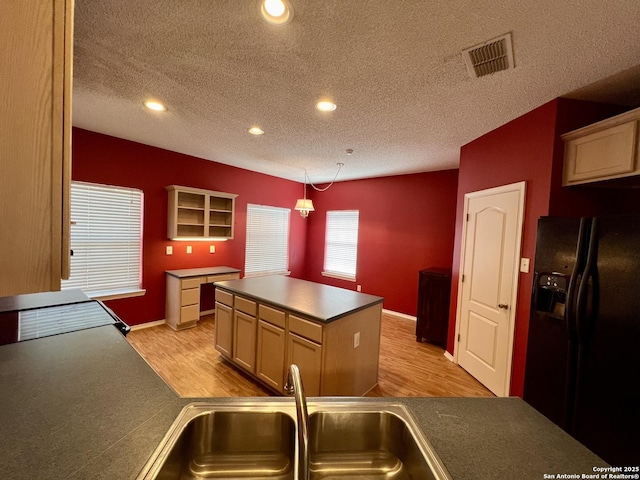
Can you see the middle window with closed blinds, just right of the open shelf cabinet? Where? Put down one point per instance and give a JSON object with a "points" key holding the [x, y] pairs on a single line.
{"points": [[267, 249]]}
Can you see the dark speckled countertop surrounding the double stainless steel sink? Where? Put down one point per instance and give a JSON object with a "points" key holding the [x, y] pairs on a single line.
{"points": [[85, 405]]}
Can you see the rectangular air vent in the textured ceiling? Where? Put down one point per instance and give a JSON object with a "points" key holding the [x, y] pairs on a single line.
{"points": [[489, 57]]}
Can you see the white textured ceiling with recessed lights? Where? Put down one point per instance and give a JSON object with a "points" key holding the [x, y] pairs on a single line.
{"points": [[406, 103]]}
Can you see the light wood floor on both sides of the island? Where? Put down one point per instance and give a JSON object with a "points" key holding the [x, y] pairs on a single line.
{"points": [[189, 363]]}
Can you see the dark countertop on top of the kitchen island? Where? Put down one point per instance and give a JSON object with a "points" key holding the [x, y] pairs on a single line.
{"points": [[322, 303]]}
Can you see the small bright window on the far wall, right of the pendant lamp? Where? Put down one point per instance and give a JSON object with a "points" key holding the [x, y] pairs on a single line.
{"points": [[341, 244]]}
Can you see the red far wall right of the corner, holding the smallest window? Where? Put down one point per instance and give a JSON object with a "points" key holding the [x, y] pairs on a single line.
{"points": [[406, 224]]}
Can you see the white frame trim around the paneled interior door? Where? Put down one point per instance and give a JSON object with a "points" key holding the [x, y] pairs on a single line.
{"points": [[521, 188]]}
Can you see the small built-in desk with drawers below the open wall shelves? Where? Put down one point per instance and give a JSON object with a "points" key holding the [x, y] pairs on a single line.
{"points": [[183, 293]]}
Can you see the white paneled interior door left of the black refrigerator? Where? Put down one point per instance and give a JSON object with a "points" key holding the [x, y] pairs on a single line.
{"points": [[488, 284]]}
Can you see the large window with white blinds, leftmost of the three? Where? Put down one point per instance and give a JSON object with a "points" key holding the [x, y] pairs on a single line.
{"points": [[106, 240]]}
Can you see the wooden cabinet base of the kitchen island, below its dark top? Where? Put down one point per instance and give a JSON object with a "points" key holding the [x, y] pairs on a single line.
{"points": [[336, 358]]}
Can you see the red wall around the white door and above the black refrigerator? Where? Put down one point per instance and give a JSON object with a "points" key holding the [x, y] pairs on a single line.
{"points": [[529, 148]]}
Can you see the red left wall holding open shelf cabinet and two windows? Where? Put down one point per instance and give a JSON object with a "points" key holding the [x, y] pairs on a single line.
{"points": [[102, 159]]}
